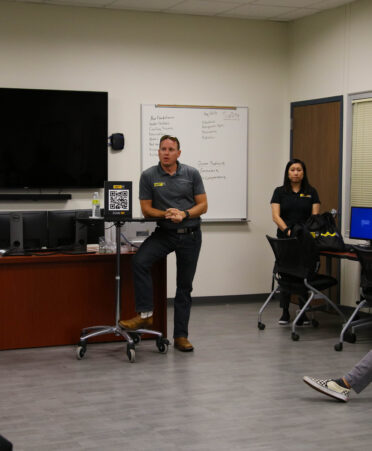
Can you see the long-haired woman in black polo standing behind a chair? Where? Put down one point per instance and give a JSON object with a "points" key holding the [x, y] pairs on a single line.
{"points": [[293, 203]]}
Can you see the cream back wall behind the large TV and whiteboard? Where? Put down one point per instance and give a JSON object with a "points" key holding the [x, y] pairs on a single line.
{"points": [[157, 58]]}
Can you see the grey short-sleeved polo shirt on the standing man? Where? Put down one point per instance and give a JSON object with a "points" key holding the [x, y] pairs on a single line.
{"points": [[172, 191]]}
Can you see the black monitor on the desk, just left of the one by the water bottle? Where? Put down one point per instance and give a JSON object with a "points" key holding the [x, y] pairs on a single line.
{"points": [[61, 229]]}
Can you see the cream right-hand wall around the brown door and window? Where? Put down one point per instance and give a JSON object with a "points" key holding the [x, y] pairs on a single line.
{"points": [[331, 54]]}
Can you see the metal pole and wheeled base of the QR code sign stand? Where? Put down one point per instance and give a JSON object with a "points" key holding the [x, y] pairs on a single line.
{"points": [[132, 336]]}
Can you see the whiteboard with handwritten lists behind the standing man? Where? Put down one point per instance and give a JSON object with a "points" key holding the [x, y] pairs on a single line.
{"points": [[214, 140]]}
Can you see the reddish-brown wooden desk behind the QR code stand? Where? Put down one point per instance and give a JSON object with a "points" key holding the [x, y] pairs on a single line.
{"points": [[46, 300]]}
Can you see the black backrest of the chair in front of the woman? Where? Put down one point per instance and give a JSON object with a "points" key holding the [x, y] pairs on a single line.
{"points": [[295, 256]]}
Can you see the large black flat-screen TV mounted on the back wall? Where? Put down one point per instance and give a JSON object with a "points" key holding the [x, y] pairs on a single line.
{"points": [[53, 139]]}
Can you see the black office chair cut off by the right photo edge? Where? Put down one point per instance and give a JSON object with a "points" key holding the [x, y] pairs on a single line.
{"points": [[365, 259]]}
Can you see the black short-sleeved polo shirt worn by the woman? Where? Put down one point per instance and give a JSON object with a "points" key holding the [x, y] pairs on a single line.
{"points": [[295, 208]]}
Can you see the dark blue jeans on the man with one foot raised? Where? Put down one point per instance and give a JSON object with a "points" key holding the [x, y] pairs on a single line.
{"points": [[158, 245]]}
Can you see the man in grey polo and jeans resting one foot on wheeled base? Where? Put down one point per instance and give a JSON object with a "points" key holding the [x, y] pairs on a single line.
{"points": [[175, 193]]}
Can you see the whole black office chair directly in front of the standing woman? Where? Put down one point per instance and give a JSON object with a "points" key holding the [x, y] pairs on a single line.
{"points": [[295, 271]]}
